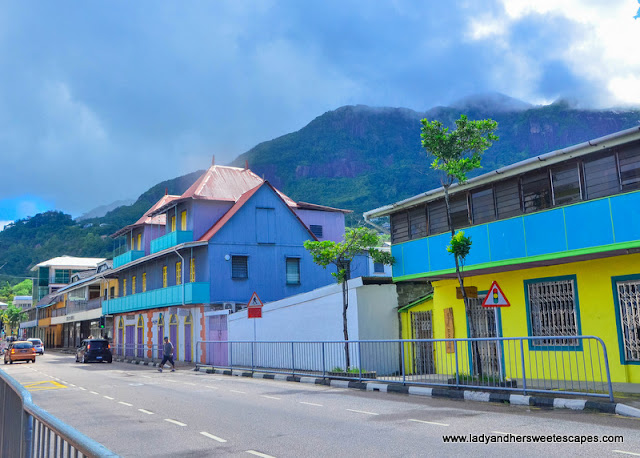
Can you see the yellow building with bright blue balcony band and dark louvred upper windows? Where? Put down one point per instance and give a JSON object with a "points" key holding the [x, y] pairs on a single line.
{"points": [[560, 234]]}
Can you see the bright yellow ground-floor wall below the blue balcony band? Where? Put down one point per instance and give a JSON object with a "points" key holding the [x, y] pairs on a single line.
{"points": [[595, 302]]}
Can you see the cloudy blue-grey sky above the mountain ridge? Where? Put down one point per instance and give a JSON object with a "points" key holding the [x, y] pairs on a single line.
{"points": [[101, 100]]}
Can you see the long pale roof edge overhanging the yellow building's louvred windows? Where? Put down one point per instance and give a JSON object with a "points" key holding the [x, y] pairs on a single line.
{"points": [[537, 162]]}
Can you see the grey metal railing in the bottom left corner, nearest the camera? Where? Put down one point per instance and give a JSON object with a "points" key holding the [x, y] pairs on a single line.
{"points": [[27, 430]]}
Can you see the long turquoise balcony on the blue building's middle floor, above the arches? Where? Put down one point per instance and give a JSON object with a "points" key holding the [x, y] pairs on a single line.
{"points": [[194, 293]]}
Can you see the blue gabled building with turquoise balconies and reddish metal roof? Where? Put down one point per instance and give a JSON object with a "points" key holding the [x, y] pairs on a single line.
{"points": [[229, 235]]}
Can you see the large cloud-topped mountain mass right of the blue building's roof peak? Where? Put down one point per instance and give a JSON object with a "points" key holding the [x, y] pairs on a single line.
{"points": [[360, 158]]}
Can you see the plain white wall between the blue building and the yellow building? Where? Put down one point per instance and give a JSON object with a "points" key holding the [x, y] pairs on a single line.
{"points": [[316, 316]]}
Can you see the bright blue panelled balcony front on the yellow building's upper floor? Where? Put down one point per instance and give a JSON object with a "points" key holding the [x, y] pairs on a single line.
{"points": [[586, 228]]}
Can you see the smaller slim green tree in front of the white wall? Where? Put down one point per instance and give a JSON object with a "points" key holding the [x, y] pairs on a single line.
{"points": [[340, 254]]}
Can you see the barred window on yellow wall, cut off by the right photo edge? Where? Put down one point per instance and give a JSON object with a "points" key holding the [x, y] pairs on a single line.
{"points": [[629, 301]]}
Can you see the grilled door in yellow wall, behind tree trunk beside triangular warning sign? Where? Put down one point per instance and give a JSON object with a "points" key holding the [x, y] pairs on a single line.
{"points": [[484, 354]]}
